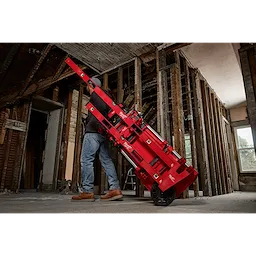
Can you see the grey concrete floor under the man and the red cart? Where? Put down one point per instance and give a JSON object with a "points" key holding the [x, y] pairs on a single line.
{"points": [[35, 203]]}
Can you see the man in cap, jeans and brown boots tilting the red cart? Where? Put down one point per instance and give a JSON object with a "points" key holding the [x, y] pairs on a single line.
{"points": [[94, 141]]}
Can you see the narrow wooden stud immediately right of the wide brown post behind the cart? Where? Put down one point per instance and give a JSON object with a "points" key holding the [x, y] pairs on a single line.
{"points": [[191, 125]]}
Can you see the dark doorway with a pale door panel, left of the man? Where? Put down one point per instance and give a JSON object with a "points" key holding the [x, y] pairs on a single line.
{"points": [[42, 155]]}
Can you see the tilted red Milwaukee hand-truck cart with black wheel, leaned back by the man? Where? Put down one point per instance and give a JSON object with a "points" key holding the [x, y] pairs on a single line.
{"points": [[158, 166]]}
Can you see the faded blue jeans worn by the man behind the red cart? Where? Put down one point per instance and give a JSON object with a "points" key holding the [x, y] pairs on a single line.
{"points": [[92, 143]]}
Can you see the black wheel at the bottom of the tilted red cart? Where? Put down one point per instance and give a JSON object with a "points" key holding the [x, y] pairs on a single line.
{"points": [[162, 198]]}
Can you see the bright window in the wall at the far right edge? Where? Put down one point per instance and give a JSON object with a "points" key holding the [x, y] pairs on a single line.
{"points": [[245, 148]]}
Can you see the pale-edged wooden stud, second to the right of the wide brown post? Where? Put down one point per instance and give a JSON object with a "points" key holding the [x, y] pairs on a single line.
{"points": [[203, 164]]}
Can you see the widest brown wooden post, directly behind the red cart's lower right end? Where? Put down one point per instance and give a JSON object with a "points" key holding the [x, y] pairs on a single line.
{"points": [[177, 111]]}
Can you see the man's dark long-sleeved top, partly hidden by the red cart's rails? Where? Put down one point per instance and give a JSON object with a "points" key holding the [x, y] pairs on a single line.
{"points": [[92, 123]]}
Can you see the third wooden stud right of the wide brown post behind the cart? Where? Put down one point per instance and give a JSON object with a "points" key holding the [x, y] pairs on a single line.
{"points": [[209, 136]]}
